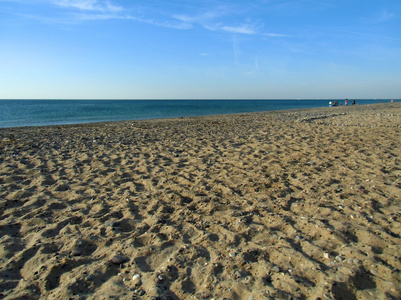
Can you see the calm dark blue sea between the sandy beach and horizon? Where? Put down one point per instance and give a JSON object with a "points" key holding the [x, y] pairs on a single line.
{"points": [[16, 113]]}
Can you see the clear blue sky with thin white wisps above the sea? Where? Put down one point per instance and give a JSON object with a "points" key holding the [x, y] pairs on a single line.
{"points": [[193, 49]]}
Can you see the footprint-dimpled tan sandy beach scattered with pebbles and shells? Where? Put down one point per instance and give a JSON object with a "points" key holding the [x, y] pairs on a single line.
{"points": [[278, 205]]}
